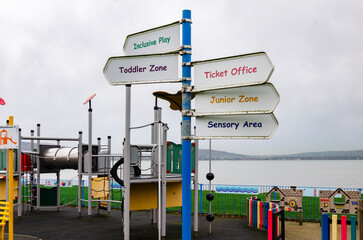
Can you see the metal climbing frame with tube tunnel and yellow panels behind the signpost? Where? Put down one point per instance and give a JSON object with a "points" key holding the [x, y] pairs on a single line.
{"points": [[158, 190]]}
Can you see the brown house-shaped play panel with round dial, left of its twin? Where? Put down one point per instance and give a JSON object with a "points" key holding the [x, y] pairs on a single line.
{"points": [[287, 199]]}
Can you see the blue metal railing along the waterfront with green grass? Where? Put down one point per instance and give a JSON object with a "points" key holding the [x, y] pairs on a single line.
{"points": [[228, 199]]}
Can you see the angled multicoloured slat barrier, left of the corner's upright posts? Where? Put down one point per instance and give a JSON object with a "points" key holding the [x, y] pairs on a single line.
{"points": [[266, 216]]}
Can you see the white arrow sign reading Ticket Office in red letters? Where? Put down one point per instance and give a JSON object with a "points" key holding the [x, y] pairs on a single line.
{"points": [[241, 70]]}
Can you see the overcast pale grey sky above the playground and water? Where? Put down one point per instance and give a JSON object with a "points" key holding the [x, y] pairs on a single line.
{"points": [[52, 55]]}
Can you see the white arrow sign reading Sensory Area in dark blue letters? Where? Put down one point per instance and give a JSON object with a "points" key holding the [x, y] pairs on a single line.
{"points": [[257, 126]]}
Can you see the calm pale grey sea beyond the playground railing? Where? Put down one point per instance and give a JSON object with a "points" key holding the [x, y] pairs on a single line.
{"points": [[305, 173]]}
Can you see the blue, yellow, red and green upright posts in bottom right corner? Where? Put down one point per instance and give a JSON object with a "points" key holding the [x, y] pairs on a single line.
{"points": [[325, 227]]}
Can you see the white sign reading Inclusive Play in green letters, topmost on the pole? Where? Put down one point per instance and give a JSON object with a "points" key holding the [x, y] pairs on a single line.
{"points": [[157, 40]]}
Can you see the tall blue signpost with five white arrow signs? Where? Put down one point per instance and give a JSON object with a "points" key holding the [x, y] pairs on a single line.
{"points": [[233, 99]]}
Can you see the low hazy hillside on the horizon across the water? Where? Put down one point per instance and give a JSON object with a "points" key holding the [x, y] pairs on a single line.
{"points": [[327, 155]]}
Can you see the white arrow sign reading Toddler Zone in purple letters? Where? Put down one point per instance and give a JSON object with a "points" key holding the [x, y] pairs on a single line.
{"points": [[139, 69]]}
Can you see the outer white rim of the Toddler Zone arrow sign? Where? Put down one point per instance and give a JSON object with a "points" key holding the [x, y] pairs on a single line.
{"points": [[140, 82]]}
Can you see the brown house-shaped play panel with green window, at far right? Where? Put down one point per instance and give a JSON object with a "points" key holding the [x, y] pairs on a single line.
{"points": [[339, 201]]}
